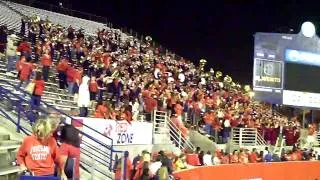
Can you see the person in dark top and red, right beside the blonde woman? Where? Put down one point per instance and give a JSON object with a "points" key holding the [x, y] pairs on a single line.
{"points": [[70, 148]]}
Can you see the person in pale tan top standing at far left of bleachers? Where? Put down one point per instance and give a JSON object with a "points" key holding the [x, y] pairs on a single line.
{"points": [[11, 53]]}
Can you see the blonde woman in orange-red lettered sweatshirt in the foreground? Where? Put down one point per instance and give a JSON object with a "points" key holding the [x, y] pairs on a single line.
{"points": [[39, 152]]}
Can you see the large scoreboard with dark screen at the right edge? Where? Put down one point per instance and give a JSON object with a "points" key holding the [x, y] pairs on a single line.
{"points": [[286, 69]]}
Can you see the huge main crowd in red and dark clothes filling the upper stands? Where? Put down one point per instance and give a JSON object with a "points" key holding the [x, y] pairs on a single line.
{"points": [[120, 78]]}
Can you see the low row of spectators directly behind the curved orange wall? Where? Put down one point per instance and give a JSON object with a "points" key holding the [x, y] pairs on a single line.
{"points": [[162, 165]]}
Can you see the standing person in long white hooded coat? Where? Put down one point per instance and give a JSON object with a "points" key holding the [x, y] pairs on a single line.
{"points": [[84, 97]]}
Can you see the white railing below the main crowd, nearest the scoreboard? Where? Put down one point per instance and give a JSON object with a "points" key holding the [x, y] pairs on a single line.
{"points": [[246, 137]]}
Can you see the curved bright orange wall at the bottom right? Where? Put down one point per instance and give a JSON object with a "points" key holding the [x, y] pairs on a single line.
{"points": [[255, 171]]}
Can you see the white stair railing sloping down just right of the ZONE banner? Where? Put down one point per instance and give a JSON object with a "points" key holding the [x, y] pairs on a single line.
{"points": [[163, 125]]}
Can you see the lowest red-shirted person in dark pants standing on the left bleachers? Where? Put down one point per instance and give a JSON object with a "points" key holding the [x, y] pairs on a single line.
{"points": [[38, 91]]}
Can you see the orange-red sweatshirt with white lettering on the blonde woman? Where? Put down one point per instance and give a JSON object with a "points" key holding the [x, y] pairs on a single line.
{"points": [[38, 157]]}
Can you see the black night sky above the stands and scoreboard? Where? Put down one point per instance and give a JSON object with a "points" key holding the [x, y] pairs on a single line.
{"points": [[219, 31]]}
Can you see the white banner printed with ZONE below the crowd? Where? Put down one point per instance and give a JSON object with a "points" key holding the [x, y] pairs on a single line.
{"points": [[121, 132]]}
